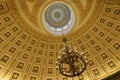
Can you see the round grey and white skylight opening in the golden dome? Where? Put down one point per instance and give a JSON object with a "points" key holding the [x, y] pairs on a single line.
{"points": [[58, 18]]}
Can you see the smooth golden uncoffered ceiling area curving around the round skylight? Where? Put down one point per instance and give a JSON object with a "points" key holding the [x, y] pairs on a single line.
{"points": [[32, 13]]}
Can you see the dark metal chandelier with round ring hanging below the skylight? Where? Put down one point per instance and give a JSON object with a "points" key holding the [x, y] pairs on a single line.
{"points": [[70, 61]]}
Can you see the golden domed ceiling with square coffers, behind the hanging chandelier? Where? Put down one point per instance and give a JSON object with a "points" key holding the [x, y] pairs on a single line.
{"points": [[28, 51]]}
